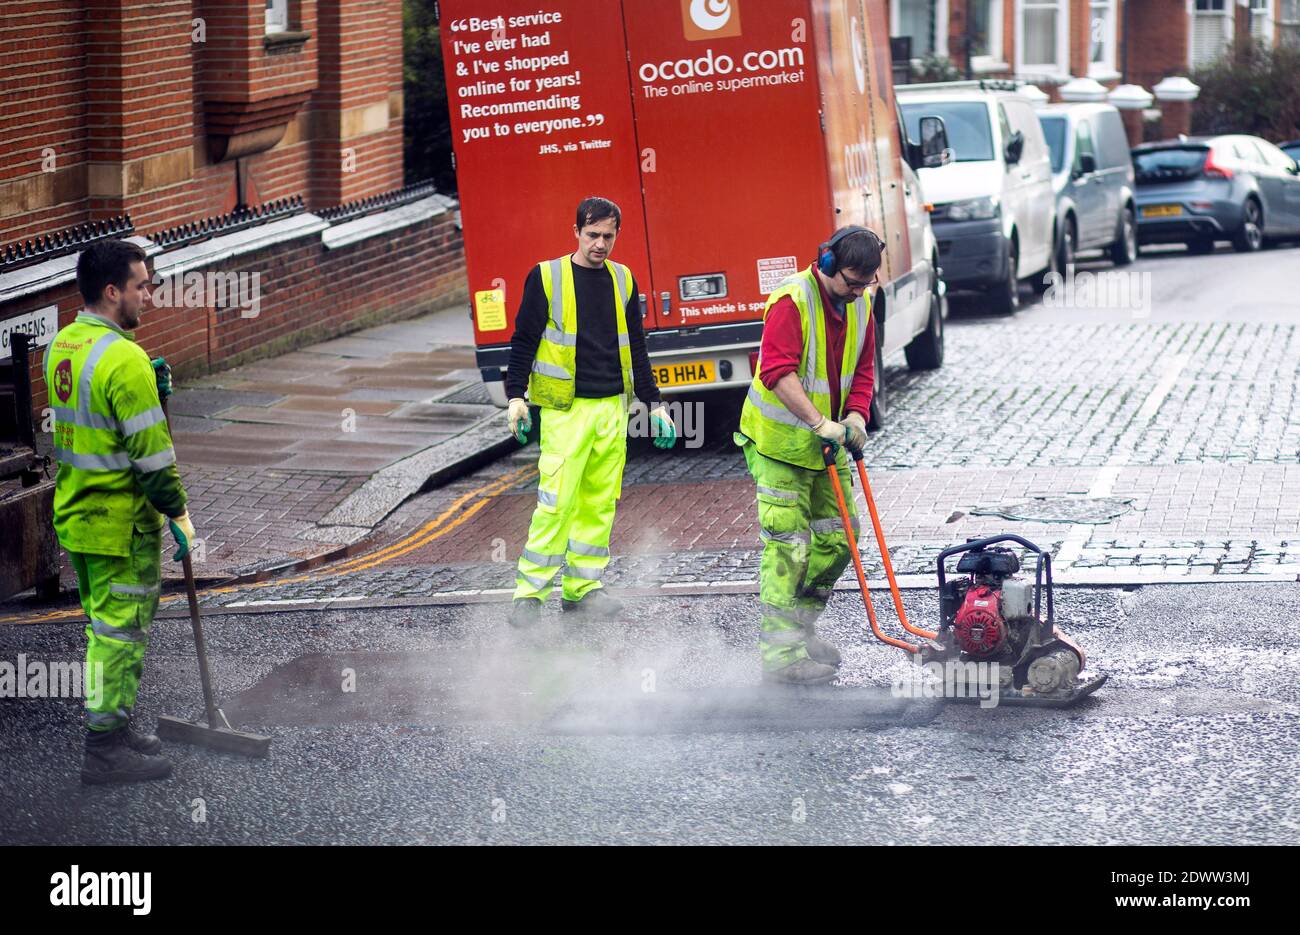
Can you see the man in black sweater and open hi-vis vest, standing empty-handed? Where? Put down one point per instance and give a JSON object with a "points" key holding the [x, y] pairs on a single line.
{"points": [[579, 353]]}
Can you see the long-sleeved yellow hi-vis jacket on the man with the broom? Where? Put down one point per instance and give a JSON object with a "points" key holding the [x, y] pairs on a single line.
{"points": [[116, 462]]}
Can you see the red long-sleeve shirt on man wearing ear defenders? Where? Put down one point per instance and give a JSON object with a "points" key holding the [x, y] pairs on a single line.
{"points": [[783, 345]]}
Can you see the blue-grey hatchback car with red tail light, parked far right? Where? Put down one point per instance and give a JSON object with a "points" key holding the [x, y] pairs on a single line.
{"points": [[1199, 191]]}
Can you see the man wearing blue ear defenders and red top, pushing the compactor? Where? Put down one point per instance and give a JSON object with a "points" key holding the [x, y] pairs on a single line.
{"points": [[813, 388]]}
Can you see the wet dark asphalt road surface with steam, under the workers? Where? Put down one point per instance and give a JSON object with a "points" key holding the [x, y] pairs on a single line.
{"points": [[461, 731]]}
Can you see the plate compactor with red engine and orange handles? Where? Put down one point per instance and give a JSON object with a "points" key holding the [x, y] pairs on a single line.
{"points": [[987, 617]]}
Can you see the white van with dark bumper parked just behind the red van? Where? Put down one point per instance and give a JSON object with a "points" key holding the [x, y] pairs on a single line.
{"points": [[994, 202]]}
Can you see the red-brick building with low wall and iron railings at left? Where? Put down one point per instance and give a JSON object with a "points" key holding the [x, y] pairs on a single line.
{"points": [[231, 137]]}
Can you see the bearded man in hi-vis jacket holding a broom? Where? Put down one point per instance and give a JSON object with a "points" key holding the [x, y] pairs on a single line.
{"points": [[118, 486]]}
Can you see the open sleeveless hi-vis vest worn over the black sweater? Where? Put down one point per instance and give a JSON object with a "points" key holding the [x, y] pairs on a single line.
{"points": [[553, 382]]}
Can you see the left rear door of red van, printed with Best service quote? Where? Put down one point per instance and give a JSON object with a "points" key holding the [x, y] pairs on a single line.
{"points": [[541, 118]]}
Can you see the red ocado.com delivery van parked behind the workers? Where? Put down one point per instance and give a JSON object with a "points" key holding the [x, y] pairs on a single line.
{"points": [[734, 135]]}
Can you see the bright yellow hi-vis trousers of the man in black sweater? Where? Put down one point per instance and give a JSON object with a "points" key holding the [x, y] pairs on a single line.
{"points": [[580, 479]]}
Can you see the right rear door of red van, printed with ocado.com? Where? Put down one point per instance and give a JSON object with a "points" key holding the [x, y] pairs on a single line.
{"points": [[730, 150]]}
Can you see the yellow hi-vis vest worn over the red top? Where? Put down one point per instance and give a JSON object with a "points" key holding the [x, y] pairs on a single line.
{"points": [[778, 432]]}
